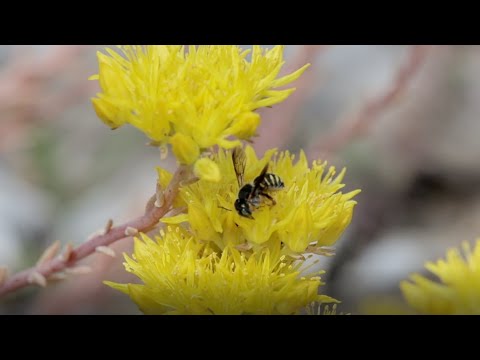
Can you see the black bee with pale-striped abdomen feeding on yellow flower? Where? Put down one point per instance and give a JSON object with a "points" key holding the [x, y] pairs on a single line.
{"points": [[250, 194]]}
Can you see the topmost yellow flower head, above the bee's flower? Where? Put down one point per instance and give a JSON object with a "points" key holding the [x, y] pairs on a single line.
{"points": [[207, 94]]}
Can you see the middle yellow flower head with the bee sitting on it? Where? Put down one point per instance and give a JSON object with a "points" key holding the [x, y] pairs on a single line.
{"points": [[310, 211]]}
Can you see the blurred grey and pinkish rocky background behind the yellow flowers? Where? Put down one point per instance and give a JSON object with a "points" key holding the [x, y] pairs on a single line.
{"points": [[414, 154]]}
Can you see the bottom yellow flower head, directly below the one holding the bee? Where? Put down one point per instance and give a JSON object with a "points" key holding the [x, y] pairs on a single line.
{"points": [[181, 275]]}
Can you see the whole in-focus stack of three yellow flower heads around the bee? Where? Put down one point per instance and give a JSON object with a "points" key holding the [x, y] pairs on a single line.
{"points": [[211, 260]]}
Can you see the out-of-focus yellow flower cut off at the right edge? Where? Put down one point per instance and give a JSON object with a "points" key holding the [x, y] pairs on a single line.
{"points": [[458, 291]]}
